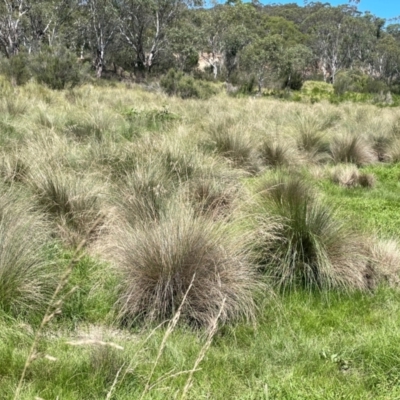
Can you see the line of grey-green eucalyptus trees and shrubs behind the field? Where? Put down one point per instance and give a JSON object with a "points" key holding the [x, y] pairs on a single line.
{"points": [[246, 44]]}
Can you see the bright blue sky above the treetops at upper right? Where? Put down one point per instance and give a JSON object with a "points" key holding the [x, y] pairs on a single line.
{"points": [[381, 8]]}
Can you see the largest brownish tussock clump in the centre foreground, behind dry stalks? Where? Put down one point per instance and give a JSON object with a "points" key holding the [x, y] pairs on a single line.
{"points": [[159, 261]]}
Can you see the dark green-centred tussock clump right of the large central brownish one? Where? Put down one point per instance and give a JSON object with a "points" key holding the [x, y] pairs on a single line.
{"points": [[313, 248]]}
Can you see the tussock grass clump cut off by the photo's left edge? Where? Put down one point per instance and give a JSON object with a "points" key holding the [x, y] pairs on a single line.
{"points": [[26, 279]]}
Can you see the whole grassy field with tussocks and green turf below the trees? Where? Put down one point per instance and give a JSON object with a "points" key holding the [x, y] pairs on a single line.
{"points": [[231, 248]]}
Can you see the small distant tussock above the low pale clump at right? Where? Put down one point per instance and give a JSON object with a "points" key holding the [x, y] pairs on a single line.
{"points": [[352, 149]]}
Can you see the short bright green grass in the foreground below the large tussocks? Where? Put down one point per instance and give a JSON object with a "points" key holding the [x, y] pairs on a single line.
{"points": [[304, 346]]}
